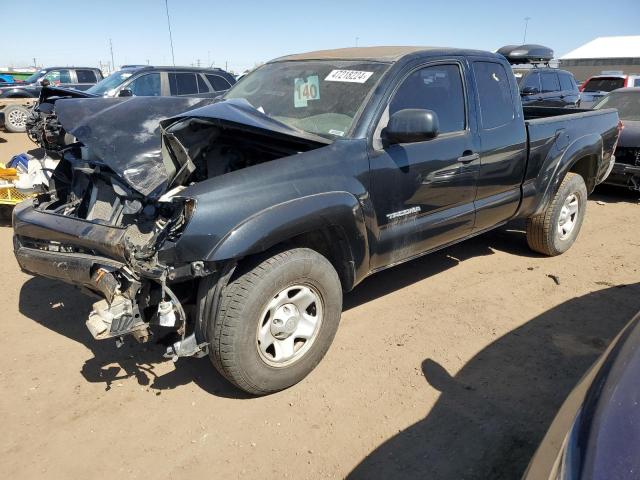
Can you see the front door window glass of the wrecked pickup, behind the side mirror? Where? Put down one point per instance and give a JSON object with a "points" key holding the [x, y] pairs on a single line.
{"points": [[437, 88]]}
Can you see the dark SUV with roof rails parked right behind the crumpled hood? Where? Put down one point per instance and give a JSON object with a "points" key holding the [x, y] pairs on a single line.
{"points": [[150, 81]]}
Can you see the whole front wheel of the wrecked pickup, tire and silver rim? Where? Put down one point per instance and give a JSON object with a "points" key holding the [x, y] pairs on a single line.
{"points": [[276, 321]]}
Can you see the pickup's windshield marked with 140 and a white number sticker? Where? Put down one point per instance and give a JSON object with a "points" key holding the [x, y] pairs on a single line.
{"points": [[320, 97]]}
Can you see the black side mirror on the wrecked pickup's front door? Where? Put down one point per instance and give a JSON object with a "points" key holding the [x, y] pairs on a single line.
{"points": [[410, 125]]}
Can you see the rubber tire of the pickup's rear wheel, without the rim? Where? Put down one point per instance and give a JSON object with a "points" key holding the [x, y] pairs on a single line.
{"points": [[543, 234]]}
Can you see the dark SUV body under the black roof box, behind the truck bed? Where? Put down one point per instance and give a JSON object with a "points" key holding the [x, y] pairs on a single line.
{"points": [[547, 87]]}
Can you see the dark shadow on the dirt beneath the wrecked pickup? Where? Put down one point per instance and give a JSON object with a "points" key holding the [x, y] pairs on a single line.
{"points": [[63, 309]]}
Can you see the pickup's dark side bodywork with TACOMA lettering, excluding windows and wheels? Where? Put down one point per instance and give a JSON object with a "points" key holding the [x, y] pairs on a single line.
{"points": [[390, 203]]}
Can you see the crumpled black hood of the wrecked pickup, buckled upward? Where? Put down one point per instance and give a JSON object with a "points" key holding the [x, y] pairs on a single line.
{"points": [[124, 133]]}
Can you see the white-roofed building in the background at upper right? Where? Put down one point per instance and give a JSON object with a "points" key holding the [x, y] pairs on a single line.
{"points": [[604, 54]]}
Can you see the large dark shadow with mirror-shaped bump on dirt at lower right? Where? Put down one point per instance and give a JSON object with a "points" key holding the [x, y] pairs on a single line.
{"points": [[492, 414]]}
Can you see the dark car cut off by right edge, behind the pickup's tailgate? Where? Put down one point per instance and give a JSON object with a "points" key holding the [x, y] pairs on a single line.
{"points": [[626, 170]]}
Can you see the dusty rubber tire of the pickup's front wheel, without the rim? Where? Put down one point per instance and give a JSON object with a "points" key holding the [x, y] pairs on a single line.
{"points": [[233, 331]]}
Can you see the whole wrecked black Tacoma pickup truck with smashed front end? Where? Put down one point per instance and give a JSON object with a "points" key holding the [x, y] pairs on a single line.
{"points": [[238, 226]]}
